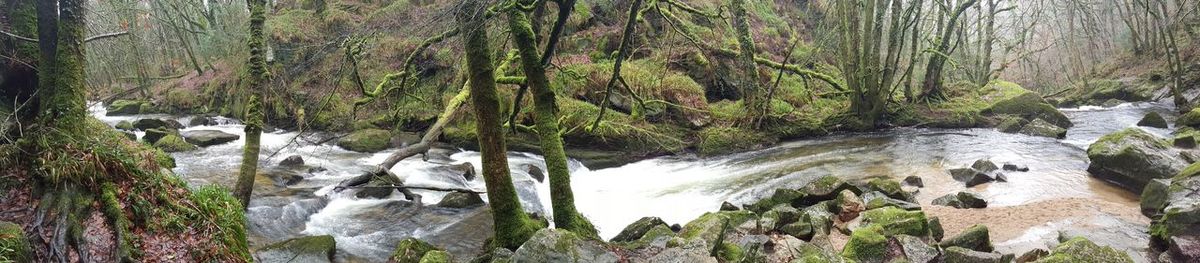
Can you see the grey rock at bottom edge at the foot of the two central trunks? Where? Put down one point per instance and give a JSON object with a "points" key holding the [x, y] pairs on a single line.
{"points": [[557, 246]]}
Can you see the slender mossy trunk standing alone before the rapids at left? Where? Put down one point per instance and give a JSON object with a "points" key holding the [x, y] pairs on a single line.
{"points": [[254, 118]]}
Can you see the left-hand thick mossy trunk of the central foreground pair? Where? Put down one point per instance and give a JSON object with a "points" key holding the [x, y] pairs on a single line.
{"points": [[513, 228]]}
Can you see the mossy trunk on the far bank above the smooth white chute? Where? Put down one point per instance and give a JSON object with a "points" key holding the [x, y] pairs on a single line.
{"points": [[749, 70]]}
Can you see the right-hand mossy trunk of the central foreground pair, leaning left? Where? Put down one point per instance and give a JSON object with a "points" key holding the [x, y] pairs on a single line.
{"points": [[547, 119]]}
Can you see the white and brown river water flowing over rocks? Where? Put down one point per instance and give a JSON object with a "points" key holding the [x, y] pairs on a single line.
{"points": [[1028, 212]]}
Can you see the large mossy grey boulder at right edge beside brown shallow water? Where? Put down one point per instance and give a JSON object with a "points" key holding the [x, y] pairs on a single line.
{"points": [[1132, 158]]}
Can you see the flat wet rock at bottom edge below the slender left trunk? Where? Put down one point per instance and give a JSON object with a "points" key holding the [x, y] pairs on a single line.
{"points": [[307, 249]]}
